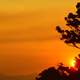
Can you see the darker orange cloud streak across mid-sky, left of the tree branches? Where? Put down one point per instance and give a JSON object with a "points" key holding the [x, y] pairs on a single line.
{"points": [[36, 34]]}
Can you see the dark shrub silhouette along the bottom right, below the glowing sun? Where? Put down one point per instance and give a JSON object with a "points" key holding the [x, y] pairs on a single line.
{"points": [[61, 72]]}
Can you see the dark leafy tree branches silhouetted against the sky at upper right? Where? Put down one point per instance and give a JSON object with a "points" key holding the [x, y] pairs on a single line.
{"points": [[72, 34]]}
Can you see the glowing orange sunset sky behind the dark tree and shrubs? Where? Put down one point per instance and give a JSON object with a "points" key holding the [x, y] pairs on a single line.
{"points": [[29, 42]]}
